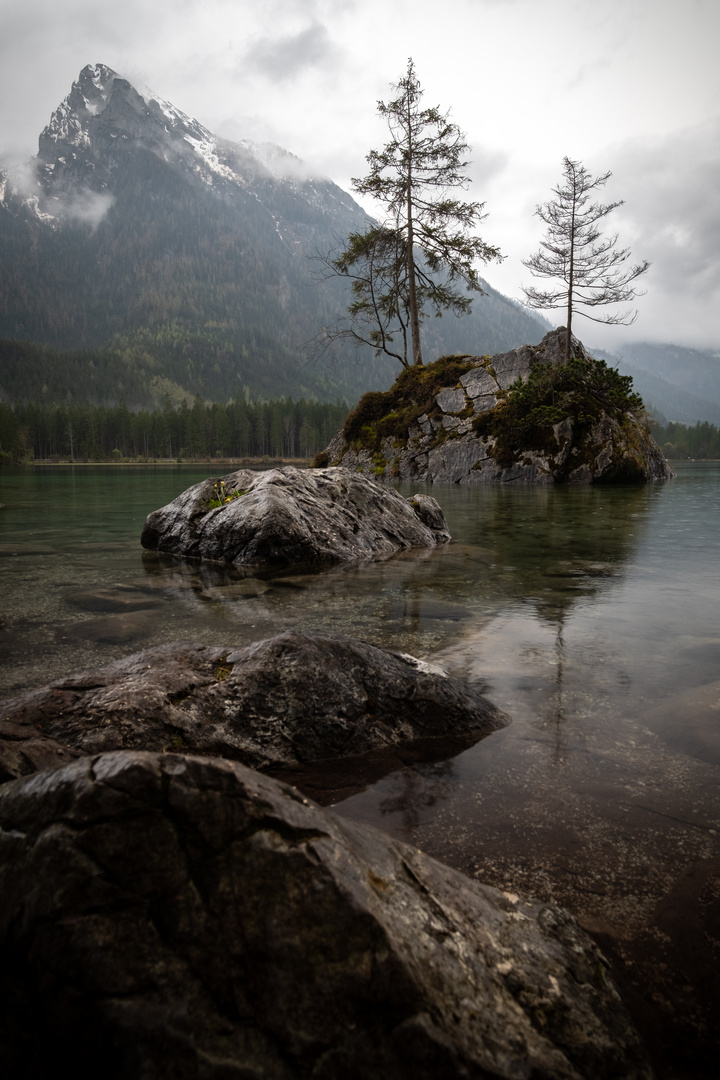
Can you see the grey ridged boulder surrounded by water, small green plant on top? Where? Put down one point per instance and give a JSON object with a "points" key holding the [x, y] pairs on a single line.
{"points": [[293, 518]]}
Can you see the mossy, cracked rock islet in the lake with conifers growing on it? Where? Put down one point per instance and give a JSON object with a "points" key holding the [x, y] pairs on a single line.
{"points": [[450, 424]]}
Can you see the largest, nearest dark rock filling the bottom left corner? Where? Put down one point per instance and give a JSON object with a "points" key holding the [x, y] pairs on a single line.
{"points": [[169, 916]]}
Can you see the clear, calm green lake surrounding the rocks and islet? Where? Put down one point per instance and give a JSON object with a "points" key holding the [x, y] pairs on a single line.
{"points": [[592, 616]]}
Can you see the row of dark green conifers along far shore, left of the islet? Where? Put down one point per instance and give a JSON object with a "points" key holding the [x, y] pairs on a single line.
{"points": [[240, 429]]}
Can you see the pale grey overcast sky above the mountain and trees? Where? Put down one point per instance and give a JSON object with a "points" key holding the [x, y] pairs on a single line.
{"points": [[628, 86]]}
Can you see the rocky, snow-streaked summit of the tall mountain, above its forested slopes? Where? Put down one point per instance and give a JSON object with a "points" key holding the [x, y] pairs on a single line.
{"points": [[107, 133]]}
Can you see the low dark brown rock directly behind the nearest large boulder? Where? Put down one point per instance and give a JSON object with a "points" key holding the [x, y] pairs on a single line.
{"points": [[282, 704]]}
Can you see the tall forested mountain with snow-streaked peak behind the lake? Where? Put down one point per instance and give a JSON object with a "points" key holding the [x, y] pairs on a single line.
{"points": [[173, 262]]}
